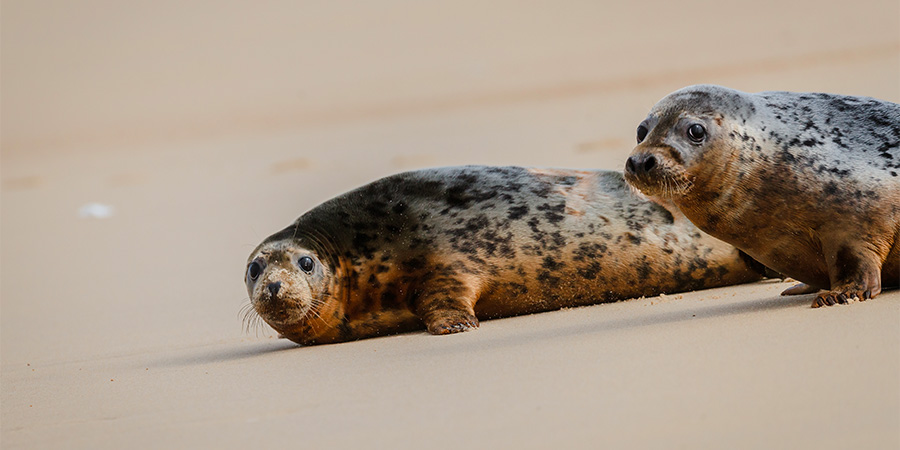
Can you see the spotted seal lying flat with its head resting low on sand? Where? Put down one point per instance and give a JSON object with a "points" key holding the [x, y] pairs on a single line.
{"points": [[445, 247]]}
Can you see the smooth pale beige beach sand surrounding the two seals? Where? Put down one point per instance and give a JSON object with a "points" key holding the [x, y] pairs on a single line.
{"points": [[208, 125]]}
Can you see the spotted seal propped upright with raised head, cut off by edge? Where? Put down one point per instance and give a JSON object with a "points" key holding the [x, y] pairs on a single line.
{"points": [[807, 184]]}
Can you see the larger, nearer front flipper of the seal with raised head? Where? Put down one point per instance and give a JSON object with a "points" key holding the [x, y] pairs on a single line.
{"points": [[855, 276]]}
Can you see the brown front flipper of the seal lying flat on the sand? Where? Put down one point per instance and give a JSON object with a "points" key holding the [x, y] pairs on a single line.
{"points": [[447, 307]]}
